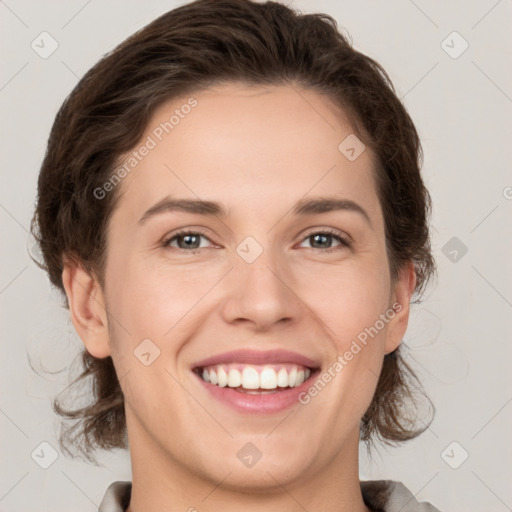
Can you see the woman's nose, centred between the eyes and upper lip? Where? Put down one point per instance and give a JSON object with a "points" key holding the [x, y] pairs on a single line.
{"points": [[261, 294]]}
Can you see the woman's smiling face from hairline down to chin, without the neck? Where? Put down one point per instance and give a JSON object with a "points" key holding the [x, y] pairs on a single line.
{"points": [[270, 285]]}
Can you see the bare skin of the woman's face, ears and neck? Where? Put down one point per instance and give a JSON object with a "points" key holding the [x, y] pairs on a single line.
{"points": [[282, 147]]}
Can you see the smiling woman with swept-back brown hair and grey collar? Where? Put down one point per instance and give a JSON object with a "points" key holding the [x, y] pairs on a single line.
{"points": [[232, 206]]}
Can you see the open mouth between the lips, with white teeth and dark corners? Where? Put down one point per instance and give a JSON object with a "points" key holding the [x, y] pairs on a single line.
{"points": [[255, 379]]}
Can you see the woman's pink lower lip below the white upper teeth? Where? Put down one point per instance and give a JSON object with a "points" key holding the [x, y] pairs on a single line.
{"points": [[261, 403]]}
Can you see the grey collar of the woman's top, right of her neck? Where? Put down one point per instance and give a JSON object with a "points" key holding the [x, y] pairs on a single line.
{"points": [[392, 496]]}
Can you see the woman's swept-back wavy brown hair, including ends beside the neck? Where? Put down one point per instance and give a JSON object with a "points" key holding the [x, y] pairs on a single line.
{"points": [[184, 50]]}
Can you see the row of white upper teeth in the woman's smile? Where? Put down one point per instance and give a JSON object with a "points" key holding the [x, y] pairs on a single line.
{"points": [[250, 378]]}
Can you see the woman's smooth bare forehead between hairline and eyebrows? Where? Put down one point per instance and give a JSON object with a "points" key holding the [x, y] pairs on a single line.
{"points": [[248, 147]]}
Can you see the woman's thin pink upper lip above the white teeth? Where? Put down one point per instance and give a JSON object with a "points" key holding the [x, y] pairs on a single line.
{"points": [[246, 356]]}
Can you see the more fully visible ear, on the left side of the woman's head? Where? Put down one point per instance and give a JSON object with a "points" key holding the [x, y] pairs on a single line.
{"points": [[87, 308]]}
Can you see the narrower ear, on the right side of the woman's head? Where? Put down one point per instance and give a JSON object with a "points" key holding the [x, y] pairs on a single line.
{"points": [[400, 302]]}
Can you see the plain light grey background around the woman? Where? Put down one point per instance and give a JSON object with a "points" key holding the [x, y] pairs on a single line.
{"points": [[459, 338]]}
